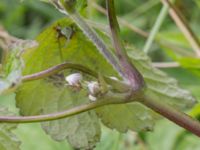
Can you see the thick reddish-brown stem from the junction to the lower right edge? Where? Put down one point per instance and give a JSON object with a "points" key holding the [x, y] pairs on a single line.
{"points": [[174, 115]]}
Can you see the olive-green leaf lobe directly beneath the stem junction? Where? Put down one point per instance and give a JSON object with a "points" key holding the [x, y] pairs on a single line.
{"points": [[127, 116]]}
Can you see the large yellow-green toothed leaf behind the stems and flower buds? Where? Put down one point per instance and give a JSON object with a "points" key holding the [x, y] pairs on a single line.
{"points": [[51, 95]]}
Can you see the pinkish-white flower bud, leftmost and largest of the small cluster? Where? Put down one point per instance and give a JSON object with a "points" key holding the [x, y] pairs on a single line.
{"points": [[74, 79]]}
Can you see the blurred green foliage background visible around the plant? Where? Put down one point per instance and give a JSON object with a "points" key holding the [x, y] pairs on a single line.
{"points": [[27, 19]]}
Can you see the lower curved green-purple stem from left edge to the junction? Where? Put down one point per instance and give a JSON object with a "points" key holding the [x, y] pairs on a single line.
{"points": [[111, 98]]}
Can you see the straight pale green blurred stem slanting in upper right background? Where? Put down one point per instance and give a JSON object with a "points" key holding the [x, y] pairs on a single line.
{"points": [[156, 27]]}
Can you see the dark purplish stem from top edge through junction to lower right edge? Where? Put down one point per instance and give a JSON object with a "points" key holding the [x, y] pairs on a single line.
{"points": [[131, 74]]}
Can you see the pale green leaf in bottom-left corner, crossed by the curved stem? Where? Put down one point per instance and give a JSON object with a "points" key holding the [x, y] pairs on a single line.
{"points": [[8, 141]]}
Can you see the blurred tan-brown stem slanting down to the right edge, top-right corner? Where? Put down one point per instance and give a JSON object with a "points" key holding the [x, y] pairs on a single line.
{"points": [[181, 22]]}
